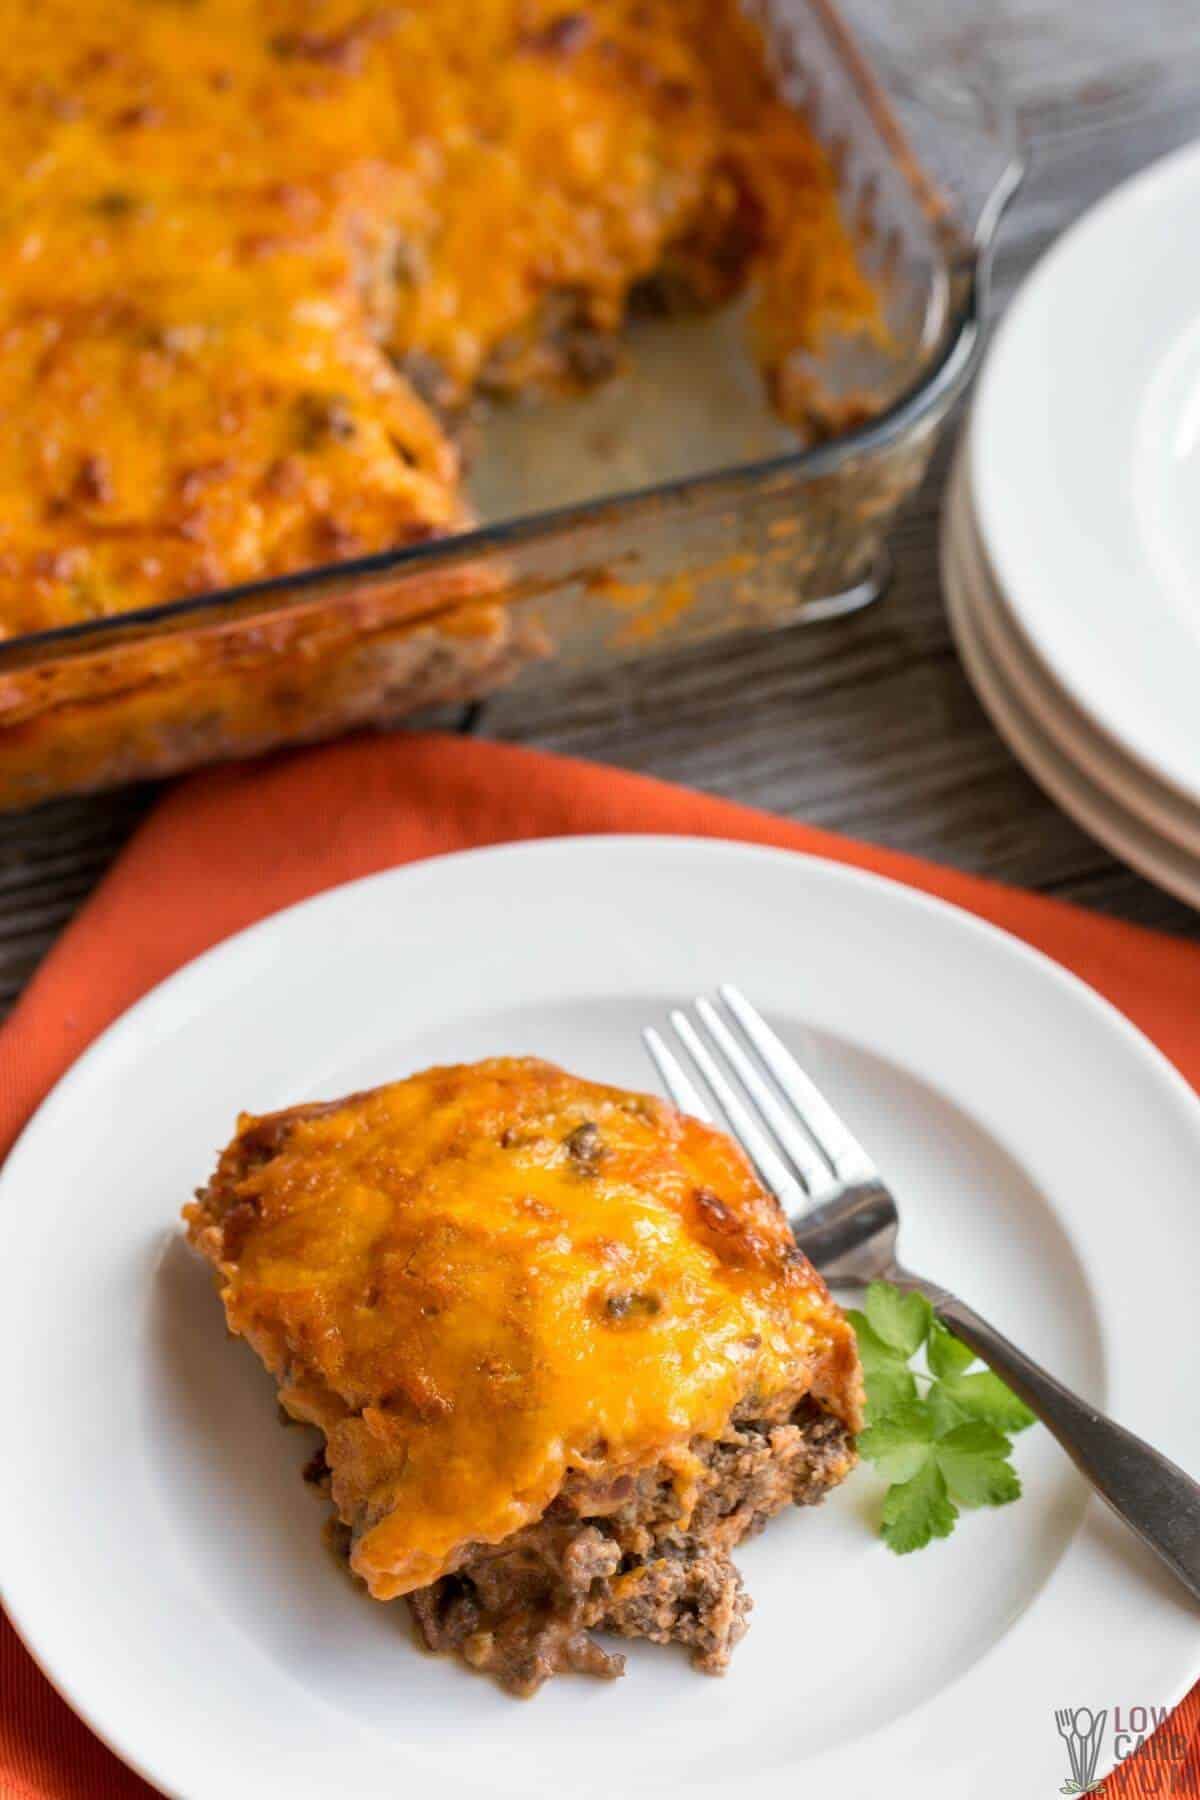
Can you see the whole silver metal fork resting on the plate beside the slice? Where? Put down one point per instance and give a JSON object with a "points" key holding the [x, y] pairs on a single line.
{"points": [[846, 1223]]}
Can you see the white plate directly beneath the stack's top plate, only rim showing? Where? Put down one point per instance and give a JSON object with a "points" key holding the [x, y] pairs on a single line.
{"points": [[1097, 757]]}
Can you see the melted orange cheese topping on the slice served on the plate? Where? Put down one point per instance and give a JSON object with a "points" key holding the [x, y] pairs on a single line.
{"points": [[485, 1277]]}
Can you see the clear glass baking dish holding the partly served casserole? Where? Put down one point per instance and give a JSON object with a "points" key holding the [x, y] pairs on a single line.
{"points": [[667, 508]]}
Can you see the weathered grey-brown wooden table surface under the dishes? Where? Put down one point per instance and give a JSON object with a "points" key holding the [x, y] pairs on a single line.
{"points": [[866, 726]]}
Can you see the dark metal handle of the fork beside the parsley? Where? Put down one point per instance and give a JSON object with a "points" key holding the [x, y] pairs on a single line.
{"points": [[1143, 1488]]}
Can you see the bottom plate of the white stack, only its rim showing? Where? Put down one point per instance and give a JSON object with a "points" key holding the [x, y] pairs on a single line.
{"points": [[974, 609]]}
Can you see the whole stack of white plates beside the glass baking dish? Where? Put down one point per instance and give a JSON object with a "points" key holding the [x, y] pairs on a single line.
{"points": [[1071, 534]]}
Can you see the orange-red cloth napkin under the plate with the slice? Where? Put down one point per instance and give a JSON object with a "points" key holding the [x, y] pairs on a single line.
{"points": [[233, 845]]}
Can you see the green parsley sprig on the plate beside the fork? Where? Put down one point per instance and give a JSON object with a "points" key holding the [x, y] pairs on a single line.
{"points": [[940, 1435]]}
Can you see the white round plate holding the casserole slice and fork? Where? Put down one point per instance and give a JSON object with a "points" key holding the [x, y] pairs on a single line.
{"points": [[163, 1558]]}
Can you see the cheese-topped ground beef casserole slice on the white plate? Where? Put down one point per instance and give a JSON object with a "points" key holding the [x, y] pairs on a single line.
{"points": [[560, 1344]]}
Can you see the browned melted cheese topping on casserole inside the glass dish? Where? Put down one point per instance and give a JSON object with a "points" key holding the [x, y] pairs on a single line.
{"points": [[246, 242]]}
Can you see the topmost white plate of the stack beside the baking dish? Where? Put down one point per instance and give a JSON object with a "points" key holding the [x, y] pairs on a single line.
{"points": [[1086, 467]]}
